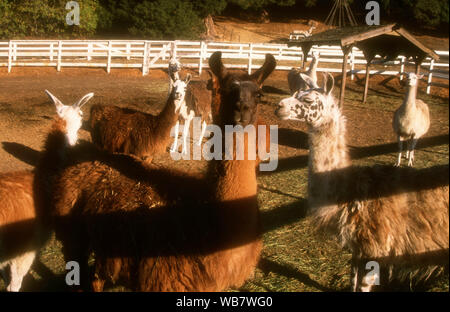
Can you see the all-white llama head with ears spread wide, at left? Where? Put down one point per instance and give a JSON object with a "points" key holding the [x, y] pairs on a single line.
{"points": [[71, 114]]}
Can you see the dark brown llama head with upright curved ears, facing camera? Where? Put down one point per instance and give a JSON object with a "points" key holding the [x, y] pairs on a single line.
{"points": [[240, 93]]}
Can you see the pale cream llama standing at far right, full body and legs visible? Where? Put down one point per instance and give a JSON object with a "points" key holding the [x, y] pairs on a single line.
{"points": [[411, 120]]}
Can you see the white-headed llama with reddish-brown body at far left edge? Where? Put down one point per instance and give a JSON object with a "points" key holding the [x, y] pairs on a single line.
{"points": [[22, 224]]}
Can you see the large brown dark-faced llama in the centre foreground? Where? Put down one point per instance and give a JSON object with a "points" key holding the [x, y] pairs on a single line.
{"points": [[151, 228]]}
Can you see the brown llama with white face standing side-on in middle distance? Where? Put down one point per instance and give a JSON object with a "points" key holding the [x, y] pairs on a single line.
{"points": [[124, 130]]}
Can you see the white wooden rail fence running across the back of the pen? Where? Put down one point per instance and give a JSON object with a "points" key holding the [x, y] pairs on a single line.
{"points": [[194, 54]]}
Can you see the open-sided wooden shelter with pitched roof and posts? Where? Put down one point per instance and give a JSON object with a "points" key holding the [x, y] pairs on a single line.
{"points": [[388, 41]]}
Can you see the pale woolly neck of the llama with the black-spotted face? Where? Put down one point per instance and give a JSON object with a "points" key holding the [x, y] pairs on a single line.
{"points": [[328, 154]]}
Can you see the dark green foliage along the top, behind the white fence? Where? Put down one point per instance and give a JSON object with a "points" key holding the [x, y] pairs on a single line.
{"points": [[170, 19]]}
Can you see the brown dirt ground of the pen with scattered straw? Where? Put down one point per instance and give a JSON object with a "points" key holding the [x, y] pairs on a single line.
{"points": [[293, 259]]}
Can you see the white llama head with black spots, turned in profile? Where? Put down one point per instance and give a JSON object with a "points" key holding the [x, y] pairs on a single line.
{"points": [[314, 106]]}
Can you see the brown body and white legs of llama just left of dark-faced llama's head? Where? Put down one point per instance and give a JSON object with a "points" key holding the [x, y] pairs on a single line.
{"points": [[198, 103]]}
